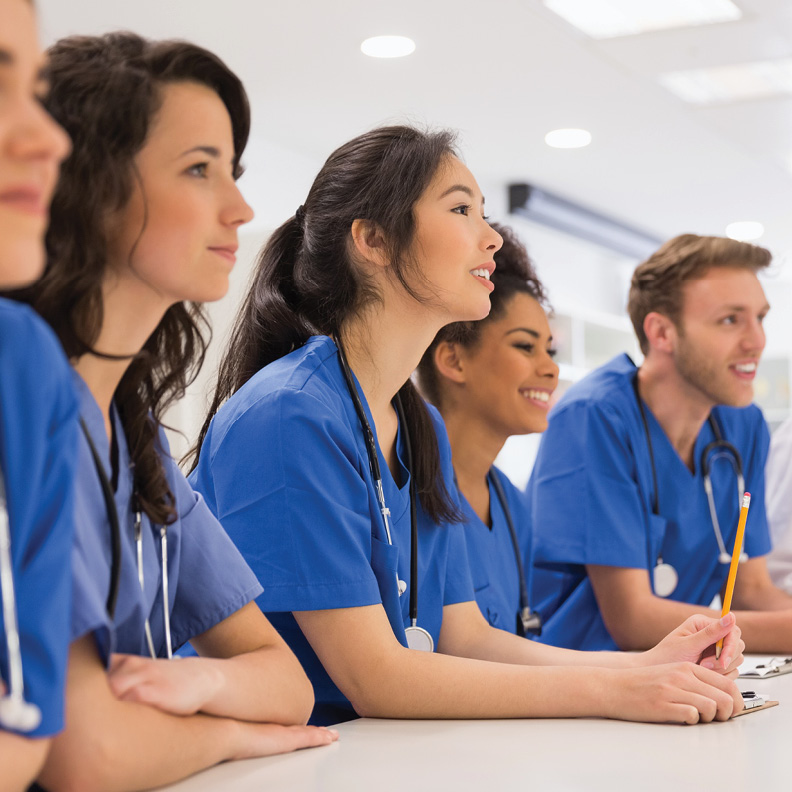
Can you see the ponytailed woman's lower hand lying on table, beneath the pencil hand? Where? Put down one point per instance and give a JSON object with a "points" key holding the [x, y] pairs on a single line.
{"points": [[672, 693]]}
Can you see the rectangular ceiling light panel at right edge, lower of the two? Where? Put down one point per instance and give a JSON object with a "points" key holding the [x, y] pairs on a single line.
{"points": [[731, 83]]}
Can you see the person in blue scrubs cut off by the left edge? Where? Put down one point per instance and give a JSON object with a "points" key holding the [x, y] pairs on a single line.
{"points": [[38, 423]]}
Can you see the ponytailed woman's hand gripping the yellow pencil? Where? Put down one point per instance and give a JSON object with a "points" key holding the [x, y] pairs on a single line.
{"points": [[694, 642]]}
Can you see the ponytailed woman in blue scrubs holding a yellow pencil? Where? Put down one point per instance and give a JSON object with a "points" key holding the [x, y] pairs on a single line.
{"points": [[391, 245]]}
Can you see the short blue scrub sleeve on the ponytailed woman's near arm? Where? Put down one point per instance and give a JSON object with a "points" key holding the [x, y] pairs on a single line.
{"points": [[291, 493]]}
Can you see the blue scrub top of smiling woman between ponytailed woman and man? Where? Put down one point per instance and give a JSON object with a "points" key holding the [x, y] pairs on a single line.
{"points": [[493, 565]]}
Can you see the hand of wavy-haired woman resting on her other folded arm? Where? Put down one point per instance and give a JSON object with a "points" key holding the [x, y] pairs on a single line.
{"points": [[180, 686]]}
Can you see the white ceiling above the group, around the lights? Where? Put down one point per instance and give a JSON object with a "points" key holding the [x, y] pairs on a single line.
{"points": [[505, 72]]}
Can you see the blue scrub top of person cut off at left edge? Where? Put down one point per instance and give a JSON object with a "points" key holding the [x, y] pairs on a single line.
{"points": [[38, 437]]}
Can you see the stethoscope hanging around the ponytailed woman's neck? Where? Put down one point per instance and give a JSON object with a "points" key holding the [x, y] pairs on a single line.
{"points": [[417, 637]]}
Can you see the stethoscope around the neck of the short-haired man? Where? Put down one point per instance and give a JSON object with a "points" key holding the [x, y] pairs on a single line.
{"points": [[665, 577]]}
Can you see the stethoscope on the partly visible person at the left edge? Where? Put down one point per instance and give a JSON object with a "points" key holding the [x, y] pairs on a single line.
{"points": [[15, 712]]}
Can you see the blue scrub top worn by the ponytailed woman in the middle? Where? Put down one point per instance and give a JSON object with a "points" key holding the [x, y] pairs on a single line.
{"points": [[284, 467]]}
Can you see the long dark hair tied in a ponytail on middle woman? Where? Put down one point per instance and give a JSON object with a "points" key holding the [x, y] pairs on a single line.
{"points": [[305, 282]]}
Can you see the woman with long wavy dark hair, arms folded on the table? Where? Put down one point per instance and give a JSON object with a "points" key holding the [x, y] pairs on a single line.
{"points": [[144, 227]]}
